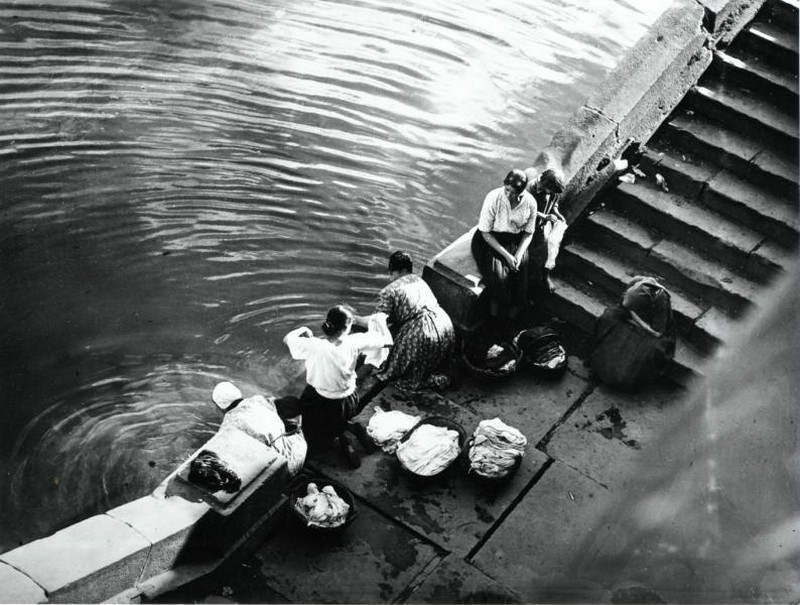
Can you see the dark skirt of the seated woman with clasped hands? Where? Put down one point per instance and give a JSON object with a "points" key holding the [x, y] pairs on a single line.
{"points": [[506, 287]]}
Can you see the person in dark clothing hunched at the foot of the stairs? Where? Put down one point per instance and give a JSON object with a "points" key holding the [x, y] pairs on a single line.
{"points": [[634, 341]]}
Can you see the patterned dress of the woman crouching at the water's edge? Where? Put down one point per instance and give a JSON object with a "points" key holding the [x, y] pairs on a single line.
{"points": [[424, 339]]}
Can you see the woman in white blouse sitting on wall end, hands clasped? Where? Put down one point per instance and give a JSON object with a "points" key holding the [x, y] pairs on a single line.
{"points": [[500, 246]]}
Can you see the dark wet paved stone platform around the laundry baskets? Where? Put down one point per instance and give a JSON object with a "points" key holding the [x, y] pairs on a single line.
{"points": [[454, 540]]}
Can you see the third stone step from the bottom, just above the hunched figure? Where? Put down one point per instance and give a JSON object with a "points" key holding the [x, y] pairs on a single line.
{"points": [[700, 277]]}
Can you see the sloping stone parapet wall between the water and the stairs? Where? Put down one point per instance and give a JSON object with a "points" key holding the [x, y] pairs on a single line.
{"points": [[631, 104]]}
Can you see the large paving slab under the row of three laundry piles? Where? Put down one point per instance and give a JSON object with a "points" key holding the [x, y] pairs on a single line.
{"points": [[454, 511]]}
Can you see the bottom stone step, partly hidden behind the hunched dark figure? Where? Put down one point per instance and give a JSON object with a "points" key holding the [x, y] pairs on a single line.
{"points": [[572, 303]]}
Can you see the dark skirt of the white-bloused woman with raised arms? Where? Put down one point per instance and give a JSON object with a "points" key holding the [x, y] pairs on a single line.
{"points": [[323, 419]]}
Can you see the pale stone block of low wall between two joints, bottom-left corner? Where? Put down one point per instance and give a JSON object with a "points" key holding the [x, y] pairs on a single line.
{"points": [[86, 562]]}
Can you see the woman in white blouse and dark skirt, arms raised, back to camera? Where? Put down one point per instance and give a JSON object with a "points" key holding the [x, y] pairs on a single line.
{"points": [[330, 398]]}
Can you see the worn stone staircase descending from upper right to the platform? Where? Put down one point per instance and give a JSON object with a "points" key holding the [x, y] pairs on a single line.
{"points": [[724, 222]]}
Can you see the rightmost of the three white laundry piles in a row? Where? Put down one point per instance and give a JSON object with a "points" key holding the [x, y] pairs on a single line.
{"points": [[495, 448]]}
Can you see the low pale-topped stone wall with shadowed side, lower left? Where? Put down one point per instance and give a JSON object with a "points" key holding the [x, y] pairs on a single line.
{"points": [[144, 547]]}
